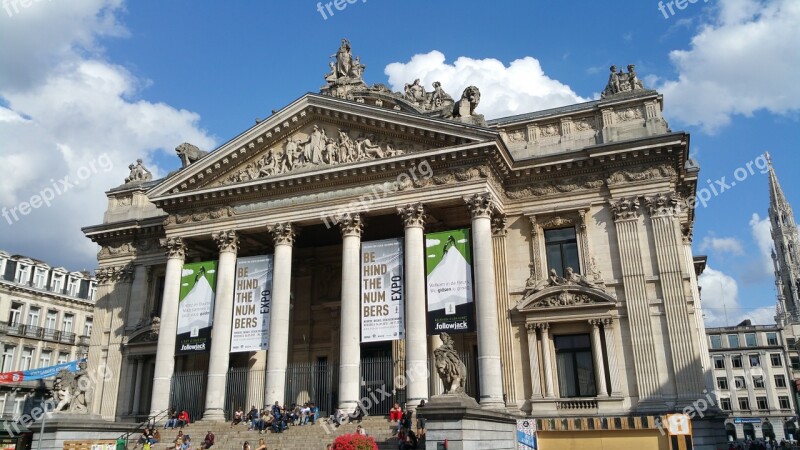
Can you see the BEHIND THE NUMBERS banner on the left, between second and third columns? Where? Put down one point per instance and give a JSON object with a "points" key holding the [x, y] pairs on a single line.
{"points": [[252, 301]]}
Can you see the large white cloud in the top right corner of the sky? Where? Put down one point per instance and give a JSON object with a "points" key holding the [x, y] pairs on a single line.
{"points": [[743, 61]]}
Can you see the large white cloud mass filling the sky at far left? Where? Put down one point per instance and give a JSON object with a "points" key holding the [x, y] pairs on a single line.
{"points": [[67, 108]]}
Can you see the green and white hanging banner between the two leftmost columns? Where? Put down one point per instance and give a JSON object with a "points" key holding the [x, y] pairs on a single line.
{"points": [[196, 308]]}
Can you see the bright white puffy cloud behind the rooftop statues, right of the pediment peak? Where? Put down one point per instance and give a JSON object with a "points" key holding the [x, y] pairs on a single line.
{"points": [[520, 87]]}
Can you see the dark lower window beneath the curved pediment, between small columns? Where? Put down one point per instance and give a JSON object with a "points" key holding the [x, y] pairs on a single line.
{"points": [[575, 366]]}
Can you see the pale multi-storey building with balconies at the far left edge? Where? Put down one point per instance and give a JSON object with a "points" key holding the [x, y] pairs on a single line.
{"points": [[46, 315]]}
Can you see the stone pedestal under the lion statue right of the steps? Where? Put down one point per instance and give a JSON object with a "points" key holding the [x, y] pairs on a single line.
{"points": [[461, 421]]}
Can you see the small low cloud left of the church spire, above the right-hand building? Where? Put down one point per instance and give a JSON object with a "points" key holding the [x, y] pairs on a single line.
{"points": [[720, 299]]}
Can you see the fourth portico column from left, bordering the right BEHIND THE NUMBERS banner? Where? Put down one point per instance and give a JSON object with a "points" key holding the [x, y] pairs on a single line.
{"points": [[350, 331]]}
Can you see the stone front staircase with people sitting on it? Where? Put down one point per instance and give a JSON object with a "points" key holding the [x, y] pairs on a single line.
{"points": [[306, 437]]}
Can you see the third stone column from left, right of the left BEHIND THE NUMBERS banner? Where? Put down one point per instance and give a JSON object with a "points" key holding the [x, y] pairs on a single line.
{"points": [[278, 353]]}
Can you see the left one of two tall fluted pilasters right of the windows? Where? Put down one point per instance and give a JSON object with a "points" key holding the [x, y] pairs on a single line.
{"points": [[626, 219]]}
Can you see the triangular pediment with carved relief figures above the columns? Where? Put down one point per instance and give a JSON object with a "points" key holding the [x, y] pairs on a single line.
{"points": [[315, 134]]}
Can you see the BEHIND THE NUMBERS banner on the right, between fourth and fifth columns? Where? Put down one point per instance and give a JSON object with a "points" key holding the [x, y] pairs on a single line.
{"points": [[382, 293]]}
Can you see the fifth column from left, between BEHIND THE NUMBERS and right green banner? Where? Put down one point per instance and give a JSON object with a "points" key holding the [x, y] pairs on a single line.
{"points": [[416, 334]]}
